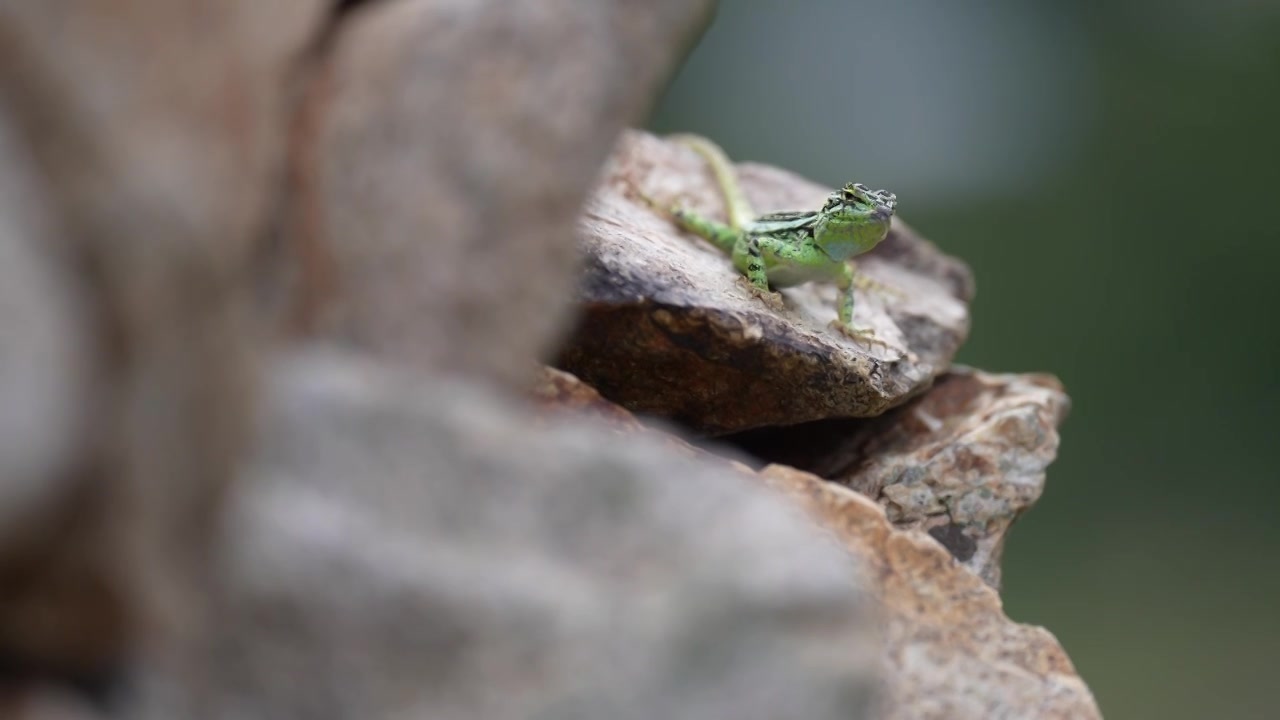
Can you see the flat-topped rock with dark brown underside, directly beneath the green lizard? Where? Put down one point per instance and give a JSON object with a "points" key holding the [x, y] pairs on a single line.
{"points": [[714, 357]]}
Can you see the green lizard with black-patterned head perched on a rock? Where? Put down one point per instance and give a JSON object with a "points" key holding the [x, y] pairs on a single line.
{"points": [[794, 248]]}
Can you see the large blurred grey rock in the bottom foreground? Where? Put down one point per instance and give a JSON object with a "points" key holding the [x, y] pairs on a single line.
{"points": [[408, 550]]}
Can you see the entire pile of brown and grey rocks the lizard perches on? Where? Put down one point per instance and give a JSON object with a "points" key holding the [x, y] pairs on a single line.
{"points": [[275, 281]]}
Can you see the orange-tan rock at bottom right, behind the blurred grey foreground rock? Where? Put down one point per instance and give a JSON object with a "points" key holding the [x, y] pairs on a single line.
{"points": [[952, 653]]}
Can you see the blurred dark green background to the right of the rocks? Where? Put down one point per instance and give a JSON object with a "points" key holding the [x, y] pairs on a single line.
{"points": [[1112, 172]]}
